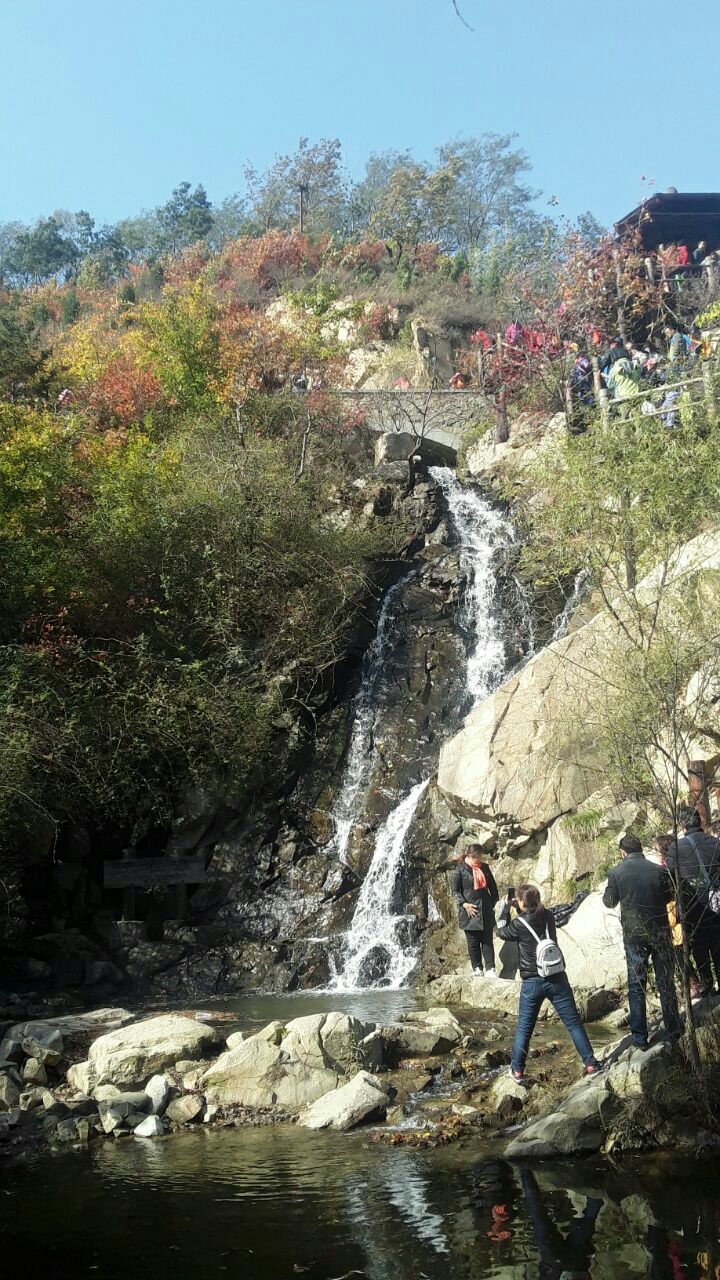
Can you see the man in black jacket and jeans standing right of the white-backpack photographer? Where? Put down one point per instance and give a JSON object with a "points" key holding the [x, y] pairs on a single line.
{"points": [[642, 889]]}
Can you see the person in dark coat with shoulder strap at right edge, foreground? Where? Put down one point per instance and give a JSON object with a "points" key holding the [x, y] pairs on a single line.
{"points": [[694, 863]]}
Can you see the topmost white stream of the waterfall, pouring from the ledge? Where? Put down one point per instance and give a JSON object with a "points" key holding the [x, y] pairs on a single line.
{"points": [[482, 532]]}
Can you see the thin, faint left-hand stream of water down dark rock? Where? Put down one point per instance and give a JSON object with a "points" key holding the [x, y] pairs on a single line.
{"points": [[352, 794]]}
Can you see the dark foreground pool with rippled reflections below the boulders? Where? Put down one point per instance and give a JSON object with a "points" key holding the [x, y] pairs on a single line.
{"points": [[281, 1203]]}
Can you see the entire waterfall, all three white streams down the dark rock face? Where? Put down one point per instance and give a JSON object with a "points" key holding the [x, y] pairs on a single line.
{"points": [[377, 949]]}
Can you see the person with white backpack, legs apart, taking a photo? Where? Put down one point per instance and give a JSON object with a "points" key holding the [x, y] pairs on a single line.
{"points": [[543, 972]]}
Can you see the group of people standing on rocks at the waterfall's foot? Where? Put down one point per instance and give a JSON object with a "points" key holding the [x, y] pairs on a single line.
{"points": [[671, 918]]}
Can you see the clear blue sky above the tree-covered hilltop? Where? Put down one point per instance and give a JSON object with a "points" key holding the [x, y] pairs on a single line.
{"points": [[108, 107]]}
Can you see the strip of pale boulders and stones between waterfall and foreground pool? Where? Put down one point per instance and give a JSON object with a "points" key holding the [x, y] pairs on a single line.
{"points": [[427, 1078]]}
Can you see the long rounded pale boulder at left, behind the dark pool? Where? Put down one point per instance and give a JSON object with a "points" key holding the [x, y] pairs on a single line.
{"points": [[133, 1054]]}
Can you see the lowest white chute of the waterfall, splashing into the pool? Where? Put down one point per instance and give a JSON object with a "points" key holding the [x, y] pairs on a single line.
{"points": [[376, 926]]}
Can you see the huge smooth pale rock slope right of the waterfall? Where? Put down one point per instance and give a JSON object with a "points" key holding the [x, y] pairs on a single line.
{"points": [[530, 752]]}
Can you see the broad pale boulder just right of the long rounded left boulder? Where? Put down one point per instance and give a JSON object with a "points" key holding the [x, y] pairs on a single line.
{"points": [[259, 1075]]}
